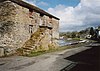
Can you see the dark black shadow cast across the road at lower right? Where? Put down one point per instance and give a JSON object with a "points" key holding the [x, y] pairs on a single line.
{"points": [[88, 60]]}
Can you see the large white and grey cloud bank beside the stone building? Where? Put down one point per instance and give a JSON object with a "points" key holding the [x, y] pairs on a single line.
{"points": [[85, 14]]}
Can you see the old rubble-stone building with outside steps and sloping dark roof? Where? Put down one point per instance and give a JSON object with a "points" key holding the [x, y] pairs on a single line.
{"points": [[26, 26]]}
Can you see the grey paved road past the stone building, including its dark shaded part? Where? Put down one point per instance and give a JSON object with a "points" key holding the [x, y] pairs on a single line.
{"points": [[75, 59]]}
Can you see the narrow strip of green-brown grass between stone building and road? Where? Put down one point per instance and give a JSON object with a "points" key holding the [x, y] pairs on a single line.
{"points": [[32, 54]]}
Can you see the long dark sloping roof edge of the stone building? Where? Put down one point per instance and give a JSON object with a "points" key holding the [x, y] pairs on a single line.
{"points": [[29, 6]]}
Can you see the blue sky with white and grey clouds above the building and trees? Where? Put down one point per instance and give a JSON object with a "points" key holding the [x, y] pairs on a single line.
{"points": [[75, 15]]}
